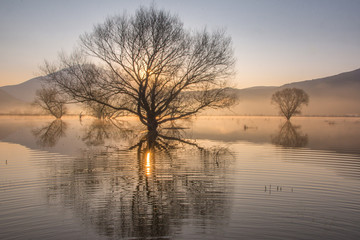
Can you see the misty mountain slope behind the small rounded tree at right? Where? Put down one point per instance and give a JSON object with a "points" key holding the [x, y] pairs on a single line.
{"points": [[332, 96]]}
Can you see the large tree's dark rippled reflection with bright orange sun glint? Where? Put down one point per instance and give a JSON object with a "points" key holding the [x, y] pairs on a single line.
{"points": [[147, 190]]}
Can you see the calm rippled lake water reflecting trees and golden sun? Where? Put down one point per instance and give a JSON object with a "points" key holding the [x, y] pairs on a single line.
{"points": [[216, 178]]}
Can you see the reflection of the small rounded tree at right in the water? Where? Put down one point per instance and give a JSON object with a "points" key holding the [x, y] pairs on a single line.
{"points": [[290, 136]]}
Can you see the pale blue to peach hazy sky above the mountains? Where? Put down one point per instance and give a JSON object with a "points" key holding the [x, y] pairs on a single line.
{"points": [[275, 41]]}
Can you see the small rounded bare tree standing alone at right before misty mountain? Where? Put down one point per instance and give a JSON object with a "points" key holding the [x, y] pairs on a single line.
{"points": [[290, 101]]}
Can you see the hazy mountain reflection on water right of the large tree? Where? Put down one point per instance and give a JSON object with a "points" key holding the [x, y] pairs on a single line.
{"points": [[334, 134]]}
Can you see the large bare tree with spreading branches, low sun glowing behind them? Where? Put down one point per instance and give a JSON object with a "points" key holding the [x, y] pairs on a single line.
{"points": [[148, 65]]}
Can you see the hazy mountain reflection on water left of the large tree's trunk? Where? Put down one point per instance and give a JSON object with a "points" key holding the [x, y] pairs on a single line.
{"points": [[19, 130]]}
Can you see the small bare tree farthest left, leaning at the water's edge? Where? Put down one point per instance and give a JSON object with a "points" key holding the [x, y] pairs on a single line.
{"points": [[51, 101]]}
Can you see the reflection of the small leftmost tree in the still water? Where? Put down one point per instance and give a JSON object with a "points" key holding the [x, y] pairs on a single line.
{"points": [[49, 135]]}
